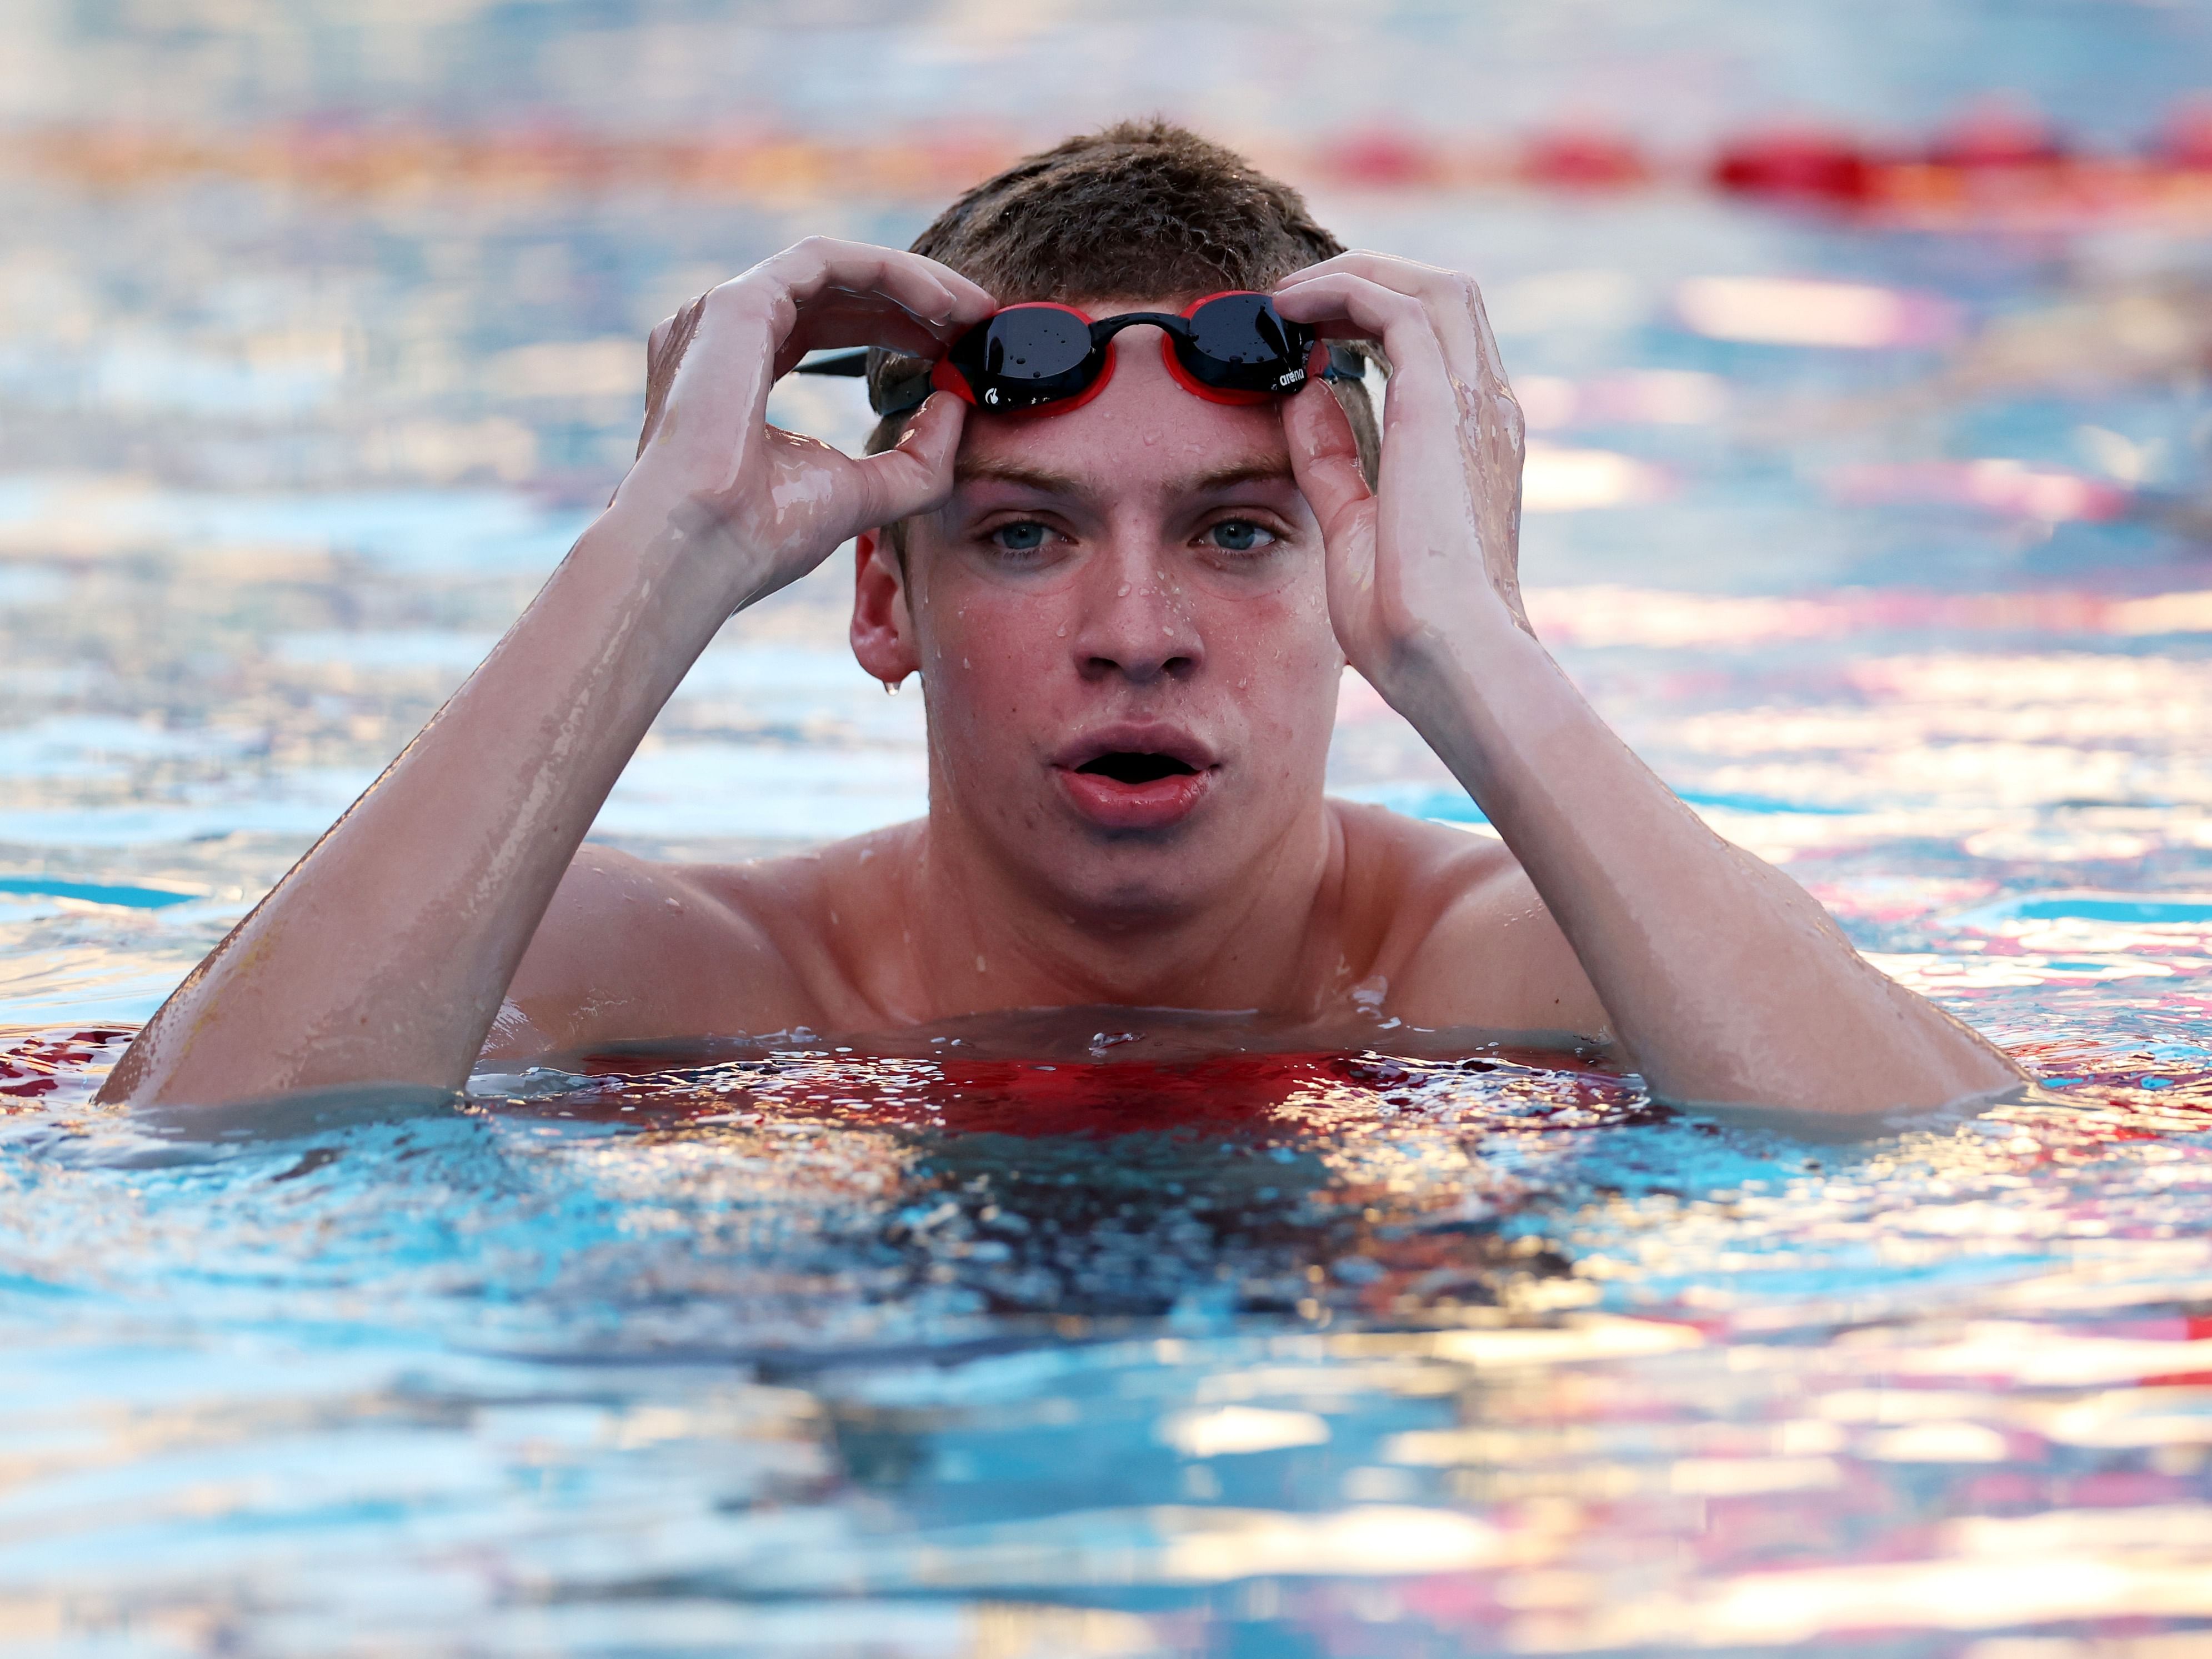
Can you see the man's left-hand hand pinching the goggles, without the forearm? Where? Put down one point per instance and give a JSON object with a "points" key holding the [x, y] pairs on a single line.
{"points": [[769, 503]]}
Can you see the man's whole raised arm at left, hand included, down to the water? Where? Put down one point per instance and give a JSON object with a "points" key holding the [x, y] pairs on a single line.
{"points": [[384, 954]]}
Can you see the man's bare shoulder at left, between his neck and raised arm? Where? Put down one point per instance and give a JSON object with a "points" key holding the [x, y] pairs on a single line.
{"points": [[636, 950]]}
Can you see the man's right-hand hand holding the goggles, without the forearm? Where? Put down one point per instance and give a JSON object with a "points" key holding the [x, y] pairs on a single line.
{"points": [[1439, 550]]}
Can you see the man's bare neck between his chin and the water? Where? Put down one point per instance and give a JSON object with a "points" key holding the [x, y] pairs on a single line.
{"points": [[988, 939]]}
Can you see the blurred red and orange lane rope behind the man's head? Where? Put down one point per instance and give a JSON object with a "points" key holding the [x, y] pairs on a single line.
{"points": [[1996, 165]]}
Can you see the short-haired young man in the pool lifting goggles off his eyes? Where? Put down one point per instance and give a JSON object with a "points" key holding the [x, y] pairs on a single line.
{"points": [[1129, 609]]}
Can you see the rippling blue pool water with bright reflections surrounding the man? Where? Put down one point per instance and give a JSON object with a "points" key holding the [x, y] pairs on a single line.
{"points": [[1114, 1333]]}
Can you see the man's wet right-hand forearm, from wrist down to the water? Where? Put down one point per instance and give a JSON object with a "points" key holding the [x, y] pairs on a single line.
{"points": [[1724, 979]]}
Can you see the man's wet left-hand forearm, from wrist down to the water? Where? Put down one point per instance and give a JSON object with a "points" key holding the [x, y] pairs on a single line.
{"points": [[384, 954]]}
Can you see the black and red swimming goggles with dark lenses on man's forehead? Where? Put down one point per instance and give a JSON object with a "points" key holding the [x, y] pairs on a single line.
{"points": [[1047, 359]]}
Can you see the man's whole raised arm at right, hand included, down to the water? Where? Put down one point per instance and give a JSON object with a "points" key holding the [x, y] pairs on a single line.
{"points": [[1722, 977]]}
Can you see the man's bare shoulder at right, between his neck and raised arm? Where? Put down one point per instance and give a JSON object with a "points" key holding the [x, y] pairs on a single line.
{"points": [[1470, 943]]}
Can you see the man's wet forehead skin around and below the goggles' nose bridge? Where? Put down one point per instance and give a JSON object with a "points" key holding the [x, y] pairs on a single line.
{"points": [[1140, 432]]}
